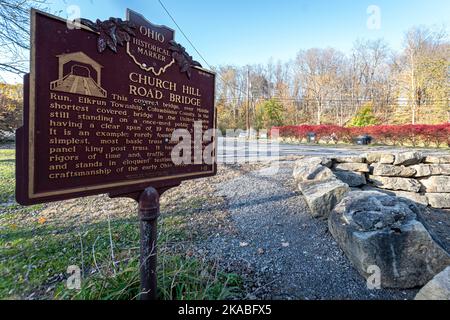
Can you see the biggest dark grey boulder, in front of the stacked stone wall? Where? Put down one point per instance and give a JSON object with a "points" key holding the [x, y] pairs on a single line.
{"points": [[375, 229]]}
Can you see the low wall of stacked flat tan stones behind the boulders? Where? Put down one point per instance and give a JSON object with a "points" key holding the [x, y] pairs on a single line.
{"points": [[411, 175]]}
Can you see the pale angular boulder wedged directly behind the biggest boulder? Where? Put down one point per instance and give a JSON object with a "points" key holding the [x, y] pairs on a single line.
{"points": [[322, 197]]}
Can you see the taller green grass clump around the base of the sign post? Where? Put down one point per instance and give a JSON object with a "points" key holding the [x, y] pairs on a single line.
{"points": [[179, 278]]}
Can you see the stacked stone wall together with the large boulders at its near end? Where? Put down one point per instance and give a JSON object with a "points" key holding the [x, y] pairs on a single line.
{"points": [[375, 224]]}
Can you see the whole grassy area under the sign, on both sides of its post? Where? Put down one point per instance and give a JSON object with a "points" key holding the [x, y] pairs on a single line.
{"points": [[35, 255]]}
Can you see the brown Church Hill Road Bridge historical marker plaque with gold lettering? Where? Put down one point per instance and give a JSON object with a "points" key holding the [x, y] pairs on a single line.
{"points": [[106, 106]]}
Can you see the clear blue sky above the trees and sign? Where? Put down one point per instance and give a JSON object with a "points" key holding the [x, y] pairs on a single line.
{"points": [[242, 32]]}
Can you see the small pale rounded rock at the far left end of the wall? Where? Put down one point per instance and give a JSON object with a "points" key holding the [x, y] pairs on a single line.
{"points": [[312, 169]]}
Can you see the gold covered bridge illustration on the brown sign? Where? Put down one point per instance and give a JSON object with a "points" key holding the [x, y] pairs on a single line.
{"points": [[79, 74]]}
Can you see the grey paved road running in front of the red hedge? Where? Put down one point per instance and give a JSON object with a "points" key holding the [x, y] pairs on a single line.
{"points": [[231, 150]]}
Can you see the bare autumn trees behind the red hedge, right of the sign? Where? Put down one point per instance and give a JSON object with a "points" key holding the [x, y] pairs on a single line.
{"points": [[327, 86]]}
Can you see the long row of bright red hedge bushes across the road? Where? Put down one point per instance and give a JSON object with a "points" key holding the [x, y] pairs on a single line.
{"points": [[415, 135]]}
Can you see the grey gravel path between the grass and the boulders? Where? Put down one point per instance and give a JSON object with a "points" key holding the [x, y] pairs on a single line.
{"points": [[287, 253]]}
